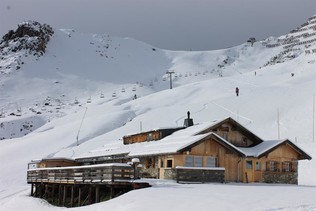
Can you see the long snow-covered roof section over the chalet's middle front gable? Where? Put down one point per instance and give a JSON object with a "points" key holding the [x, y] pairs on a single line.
{"points": [[177, 142]]}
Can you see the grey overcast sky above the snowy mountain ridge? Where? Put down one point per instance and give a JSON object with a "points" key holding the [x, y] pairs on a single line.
{"points": [[167, 24]]}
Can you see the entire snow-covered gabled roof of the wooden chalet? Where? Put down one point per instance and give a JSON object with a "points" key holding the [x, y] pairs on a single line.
{"points": [[183, 140]]}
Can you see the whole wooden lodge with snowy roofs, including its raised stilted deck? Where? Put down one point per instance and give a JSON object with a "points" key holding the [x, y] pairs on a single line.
{"points": [[219, 151]]}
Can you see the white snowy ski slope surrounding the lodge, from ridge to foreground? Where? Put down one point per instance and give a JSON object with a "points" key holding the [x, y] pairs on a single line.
{"points": [[275, 102]]}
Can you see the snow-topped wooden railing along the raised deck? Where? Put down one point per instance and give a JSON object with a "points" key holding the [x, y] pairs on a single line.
{"points": [[114, 172]]}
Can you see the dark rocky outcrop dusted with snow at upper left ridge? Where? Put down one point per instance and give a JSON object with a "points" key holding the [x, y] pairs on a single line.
{"points": [[30, 36]]}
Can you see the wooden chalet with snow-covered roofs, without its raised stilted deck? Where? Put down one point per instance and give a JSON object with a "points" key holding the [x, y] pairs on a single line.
{"points": [[220, 150]]}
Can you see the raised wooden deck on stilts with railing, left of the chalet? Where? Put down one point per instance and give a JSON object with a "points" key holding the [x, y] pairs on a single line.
{"points": [[82, 185]]}
